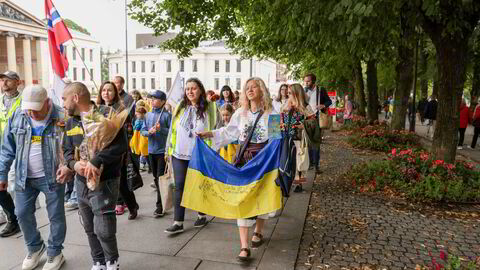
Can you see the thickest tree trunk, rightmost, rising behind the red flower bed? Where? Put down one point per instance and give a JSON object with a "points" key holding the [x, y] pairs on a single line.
{"points": [[451, 67]]}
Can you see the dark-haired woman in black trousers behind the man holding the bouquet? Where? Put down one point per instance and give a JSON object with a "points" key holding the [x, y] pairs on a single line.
{"points": [[109, 96]]}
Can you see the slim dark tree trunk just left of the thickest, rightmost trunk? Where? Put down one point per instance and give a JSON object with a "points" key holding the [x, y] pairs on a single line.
{"points": [[404, 73]]}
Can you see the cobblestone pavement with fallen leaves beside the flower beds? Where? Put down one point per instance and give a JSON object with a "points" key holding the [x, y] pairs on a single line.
{"points": [[349, 230]]}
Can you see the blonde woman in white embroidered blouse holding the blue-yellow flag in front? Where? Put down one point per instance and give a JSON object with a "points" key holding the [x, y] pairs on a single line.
{"points": [[255, 103]]}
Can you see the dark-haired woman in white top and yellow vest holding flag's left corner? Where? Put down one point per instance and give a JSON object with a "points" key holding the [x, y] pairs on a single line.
{"points": [[194, 114]]}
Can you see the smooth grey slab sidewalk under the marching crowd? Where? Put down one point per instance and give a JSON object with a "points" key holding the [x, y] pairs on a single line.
{"points": [[144, 245]]}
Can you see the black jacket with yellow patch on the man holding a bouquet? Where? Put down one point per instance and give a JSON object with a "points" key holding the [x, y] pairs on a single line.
{"points": [[111, 157]]}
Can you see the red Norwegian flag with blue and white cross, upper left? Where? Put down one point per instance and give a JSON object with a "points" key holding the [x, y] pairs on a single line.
{"points": [[57, 35]]}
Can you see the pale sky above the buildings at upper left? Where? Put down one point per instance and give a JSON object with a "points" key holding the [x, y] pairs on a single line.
{"points": [[104, 19]]}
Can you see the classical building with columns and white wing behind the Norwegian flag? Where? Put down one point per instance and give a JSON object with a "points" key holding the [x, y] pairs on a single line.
{"points": [[24, 49]]}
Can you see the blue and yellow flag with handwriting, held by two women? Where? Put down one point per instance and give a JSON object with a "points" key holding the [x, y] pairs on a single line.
{"points": [[215, 187]]}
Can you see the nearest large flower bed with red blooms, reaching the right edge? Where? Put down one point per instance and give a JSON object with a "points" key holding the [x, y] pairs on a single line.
{"points": [[414, 173]]}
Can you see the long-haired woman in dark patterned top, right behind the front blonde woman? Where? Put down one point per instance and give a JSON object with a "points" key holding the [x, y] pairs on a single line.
{"points": [[293, 115]]}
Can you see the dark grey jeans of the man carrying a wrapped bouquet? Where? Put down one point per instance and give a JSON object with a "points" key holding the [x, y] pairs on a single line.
{"points": [[97, 214]]}
